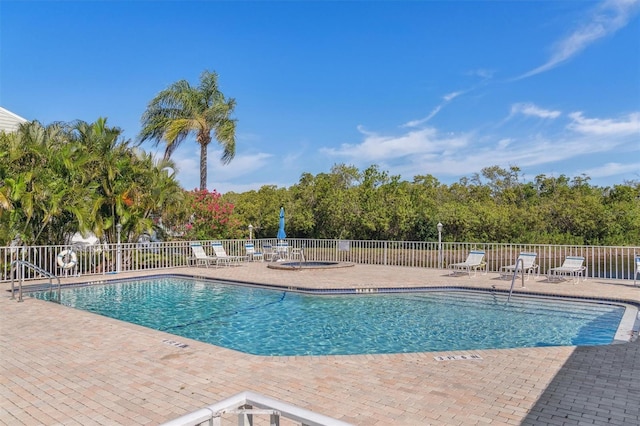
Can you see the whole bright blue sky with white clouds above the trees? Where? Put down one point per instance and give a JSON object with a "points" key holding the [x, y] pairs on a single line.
{"points": [[417, 87]]}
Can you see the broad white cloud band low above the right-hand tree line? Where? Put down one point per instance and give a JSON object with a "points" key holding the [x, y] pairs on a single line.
{"points": [[415, 152]]}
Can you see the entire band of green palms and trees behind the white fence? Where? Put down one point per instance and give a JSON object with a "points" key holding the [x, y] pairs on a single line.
{"points": [[67, 177]]}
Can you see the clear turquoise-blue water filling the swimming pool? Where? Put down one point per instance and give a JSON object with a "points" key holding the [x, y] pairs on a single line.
{"points": [[270, 322]]}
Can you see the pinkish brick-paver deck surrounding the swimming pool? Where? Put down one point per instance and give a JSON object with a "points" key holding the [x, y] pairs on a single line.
{"points": [[63, 366]]}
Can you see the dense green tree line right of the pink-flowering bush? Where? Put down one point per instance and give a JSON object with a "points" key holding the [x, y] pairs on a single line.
{"points": [[494, 205]]}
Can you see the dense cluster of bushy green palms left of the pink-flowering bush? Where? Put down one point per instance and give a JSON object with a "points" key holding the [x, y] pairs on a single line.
{"points": [[63, 178]]}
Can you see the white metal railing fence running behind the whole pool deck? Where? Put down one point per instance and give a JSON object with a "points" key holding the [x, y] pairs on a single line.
{"points": [[601, 262]]}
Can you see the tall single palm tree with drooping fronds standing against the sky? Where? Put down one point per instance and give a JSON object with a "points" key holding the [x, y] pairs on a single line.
{"points": [[182, 109]]}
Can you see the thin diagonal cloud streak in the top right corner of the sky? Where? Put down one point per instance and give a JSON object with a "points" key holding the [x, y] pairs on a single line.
{"points": [[605, 19]]}
